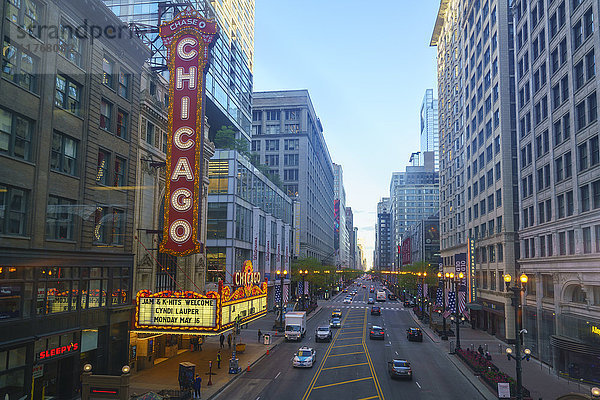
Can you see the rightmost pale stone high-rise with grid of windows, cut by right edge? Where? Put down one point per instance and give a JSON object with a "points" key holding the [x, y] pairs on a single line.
{"points": [[559, 180]]}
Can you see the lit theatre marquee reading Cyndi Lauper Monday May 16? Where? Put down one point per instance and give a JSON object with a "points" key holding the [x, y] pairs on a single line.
{"points": [[210, 313]]}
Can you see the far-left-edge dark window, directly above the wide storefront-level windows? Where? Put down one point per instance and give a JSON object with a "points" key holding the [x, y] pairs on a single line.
{"points": [[13, 203]]}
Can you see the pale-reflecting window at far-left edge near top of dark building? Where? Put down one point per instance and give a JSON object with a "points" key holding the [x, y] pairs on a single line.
{"points": [[19, 66]]}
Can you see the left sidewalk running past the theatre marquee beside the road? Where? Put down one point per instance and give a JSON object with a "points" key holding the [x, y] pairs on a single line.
{"points": [[163, 376]]}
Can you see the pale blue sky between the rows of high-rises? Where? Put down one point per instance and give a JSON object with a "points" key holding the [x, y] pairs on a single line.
{"points": [[366, 66]]}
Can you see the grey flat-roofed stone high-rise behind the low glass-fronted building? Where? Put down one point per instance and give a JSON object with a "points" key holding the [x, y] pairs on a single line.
{"points": [[288, 137]]}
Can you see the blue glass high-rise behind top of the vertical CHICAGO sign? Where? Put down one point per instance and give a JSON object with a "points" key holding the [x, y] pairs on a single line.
{"points": [[229, 77]]}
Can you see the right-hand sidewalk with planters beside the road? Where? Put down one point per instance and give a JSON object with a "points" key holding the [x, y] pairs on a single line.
{"points": [[541, 382]]}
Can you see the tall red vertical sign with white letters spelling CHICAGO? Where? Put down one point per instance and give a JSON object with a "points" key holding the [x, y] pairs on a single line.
{"points": [[188, 39]]}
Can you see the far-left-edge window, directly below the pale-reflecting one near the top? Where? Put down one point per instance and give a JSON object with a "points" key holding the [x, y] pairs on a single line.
{"points": [[15, 135]]}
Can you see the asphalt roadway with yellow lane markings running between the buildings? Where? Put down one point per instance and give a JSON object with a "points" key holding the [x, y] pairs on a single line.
{"points": [[352, 366]]}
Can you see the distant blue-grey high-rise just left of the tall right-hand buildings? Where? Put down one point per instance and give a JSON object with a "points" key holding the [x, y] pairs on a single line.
{"points": [[414, 195]]}
